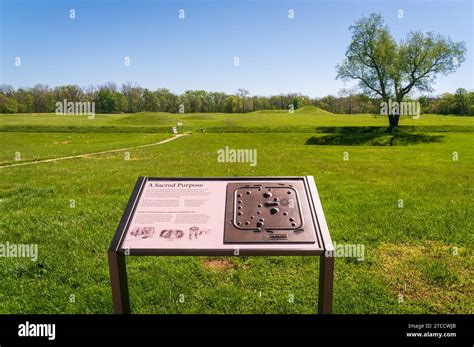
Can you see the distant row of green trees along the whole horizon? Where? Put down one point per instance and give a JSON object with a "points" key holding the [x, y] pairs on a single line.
{"points": [[131, 98]]}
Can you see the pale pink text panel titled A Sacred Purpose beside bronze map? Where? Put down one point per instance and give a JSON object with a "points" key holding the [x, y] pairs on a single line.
{"points": [[180, 214]]}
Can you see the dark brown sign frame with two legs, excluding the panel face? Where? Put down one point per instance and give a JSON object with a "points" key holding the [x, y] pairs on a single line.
{"points": [[323, 246]]}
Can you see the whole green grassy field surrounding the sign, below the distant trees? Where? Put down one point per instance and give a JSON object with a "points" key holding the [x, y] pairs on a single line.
{"points": [[418, 258]]}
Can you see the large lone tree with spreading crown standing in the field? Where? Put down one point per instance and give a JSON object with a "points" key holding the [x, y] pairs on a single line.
{"points": [[389, 69]]}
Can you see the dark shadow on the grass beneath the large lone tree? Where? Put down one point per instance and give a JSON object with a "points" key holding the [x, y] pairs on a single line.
{"points": [[373, 139]]}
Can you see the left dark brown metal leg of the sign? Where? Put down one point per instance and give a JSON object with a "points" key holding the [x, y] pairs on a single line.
{"points": [[118, 279]]}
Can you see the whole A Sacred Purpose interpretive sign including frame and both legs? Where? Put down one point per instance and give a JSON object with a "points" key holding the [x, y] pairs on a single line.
{"points": [[222, 216]]}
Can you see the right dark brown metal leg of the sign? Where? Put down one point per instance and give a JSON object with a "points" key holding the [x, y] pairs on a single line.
{"points": [[326, 277]]}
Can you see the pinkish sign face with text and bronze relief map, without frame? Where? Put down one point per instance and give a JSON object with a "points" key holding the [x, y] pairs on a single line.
{"points": [[217, 213]]}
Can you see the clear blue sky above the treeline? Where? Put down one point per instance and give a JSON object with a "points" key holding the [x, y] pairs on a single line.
{"points": [[276, 54]]}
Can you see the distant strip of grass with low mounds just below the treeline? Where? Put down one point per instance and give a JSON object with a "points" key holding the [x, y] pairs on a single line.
{"points": [[306, 120]]}
